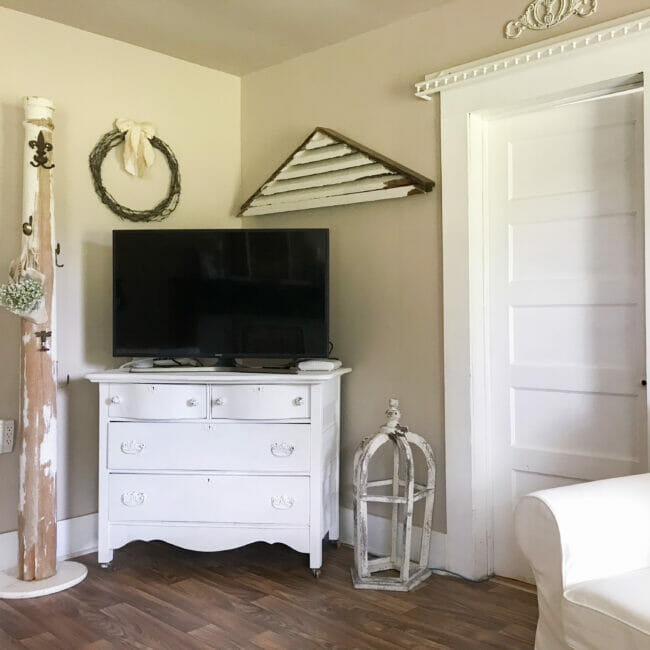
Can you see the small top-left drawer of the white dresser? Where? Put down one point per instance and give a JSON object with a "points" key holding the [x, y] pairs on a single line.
{"points": [[157, 401]]}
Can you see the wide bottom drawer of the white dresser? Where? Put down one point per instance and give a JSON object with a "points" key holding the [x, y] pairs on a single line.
{"points": [[226, 499]]}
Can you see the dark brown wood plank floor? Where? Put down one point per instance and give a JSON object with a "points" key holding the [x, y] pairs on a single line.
{"points": [[260, 596]]}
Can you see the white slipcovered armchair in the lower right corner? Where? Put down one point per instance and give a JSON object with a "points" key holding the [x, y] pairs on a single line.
{"points": [[589, 547]]}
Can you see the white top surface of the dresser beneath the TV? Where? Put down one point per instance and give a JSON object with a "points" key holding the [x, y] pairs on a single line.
{"points": [[125, 376]]}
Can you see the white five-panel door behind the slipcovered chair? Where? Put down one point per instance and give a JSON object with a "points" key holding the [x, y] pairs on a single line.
{"points": [[566, 303]]}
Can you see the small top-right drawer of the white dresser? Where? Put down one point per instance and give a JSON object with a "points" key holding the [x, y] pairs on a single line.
{"points": [[260, 402]]}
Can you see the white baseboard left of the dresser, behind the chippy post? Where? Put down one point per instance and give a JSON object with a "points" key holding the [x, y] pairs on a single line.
{"points": [[75, 536]]}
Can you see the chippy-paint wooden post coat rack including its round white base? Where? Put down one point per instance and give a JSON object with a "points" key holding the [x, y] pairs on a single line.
{"points": [[37, 572]]}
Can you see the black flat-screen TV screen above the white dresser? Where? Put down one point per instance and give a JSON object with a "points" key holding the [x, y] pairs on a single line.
{"points": [[220, 293]]}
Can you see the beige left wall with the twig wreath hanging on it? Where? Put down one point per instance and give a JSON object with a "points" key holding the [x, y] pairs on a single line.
{"points": [[93, 80]]}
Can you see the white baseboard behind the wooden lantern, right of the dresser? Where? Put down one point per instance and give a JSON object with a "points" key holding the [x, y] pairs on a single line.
{"points": [[379, 538]]}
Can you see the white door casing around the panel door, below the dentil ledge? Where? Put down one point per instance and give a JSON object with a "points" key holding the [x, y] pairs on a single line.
{"points": [[464, 107]]}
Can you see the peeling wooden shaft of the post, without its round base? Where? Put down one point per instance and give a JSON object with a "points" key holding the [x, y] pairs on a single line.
{"points": [[37, 498]]}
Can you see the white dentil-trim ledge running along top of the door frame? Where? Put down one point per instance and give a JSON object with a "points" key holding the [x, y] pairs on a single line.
{"points": [[590, 38]]}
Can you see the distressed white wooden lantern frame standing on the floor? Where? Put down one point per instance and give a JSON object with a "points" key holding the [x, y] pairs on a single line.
{"points": [[404, 494]]}
